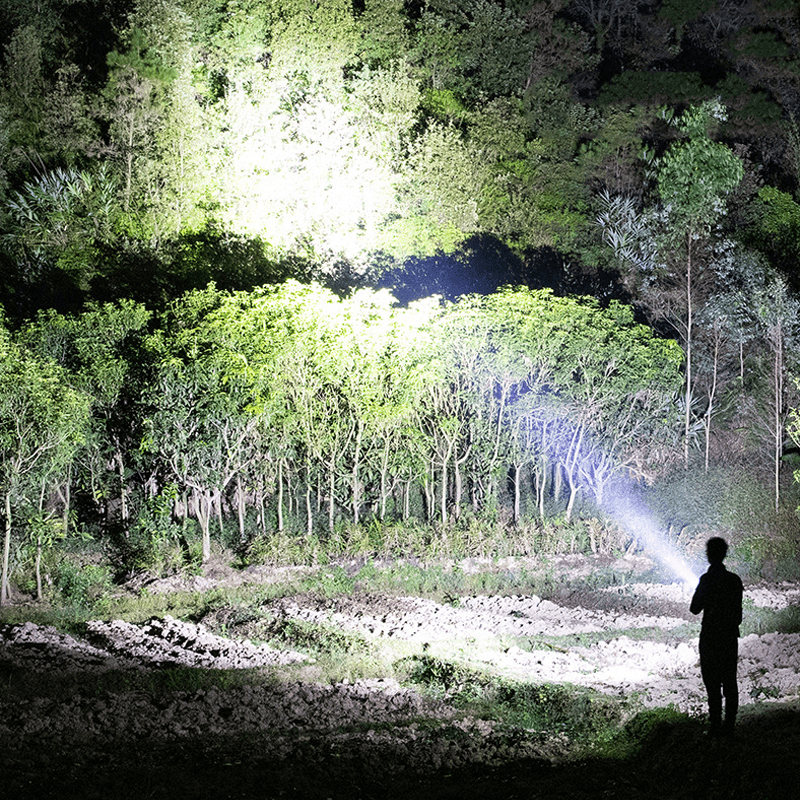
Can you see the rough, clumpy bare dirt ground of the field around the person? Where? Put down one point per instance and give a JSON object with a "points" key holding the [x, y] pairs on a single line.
{"points": [[376, 737]]}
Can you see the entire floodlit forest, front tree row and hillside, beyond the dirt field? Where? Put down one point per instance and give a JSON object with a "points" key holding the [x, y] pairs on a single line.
{"points": [[300, 278]]}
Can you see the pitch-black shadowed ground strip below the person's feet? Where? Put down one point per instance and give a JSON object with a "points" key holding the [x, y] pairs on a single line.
{"points": [[666, 760]]}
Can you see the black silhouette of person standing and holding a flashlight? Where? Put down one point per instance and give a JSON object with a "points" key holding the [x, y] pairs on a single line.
{"points": [[719, 597]]}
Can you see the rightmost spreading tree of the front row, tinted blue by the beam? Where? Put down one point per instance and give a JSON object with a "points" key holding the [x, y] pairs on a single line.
{"points": [[598, 387]]}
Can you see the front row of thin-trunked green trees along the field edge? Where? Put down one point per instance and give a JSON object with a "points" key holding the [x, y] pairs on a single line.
{"points": [[291, 406]]}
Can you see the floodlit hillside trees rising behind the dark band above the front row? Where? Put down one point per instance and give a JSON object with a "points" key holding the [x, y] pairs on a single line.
{"points": [[357, 134]]}
